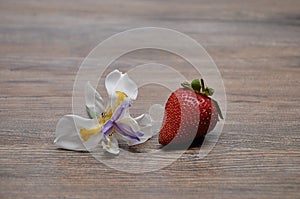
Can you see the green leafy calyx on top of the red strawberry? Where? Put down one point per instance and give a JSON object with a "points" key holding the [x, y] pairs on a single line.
{"points": [[198, 87]]}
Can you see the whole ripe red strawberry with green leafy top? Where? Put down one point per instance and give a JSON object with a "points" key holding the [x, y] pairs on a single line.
{"points": [[189, 113]]}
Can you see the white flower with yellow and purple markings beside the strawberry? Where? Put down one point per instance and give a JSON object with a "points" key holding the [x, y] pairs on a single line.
{"points": [[106, 124]]}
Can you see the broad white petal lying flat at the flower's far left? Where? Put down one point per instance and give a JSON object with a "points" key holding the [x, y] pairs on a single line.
{"points": [[67, 133]]}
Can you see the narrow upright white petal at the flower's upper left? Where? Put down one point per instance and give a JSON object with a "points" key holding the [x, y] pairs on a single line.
{"points": [[93, 99]]}
